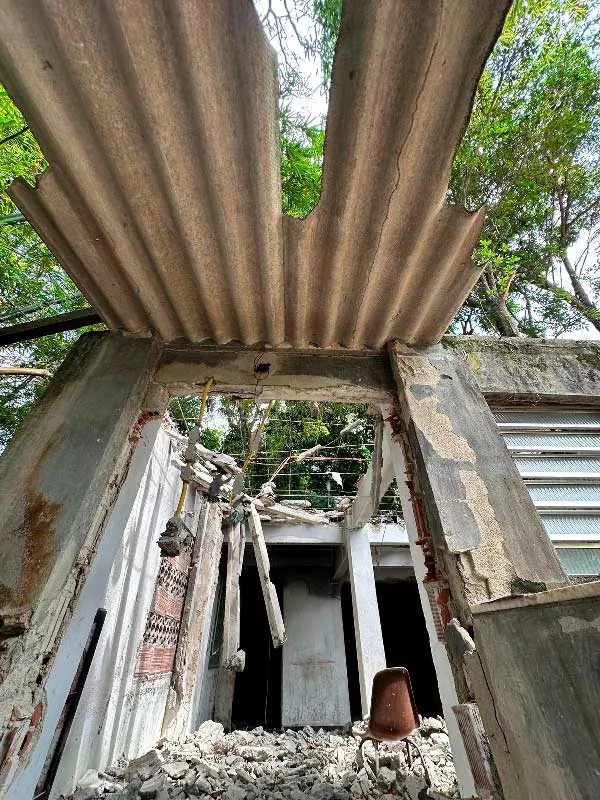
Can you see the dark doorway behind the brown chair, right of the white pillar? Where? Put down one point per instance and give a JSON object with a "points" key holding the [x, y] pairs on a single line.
{"points": [[406, 641]]}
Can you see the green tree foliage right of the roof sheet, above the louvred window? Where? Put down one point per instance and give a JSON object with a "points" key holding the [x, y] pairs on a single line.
{"points": [[531, 156]]}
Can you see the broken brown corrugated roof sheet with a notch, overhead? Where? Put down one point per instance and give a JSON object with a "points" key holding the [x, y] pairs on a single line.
{"points": [[162, 199]]}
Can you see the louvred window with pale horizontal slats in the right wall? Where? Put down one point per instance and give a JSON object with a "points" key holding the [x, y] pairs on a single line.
{"points": [[562, 479]]}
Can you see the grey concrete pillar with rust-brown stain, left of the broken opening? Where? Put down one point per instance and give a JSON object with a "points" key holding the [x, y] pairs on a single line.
{"points": [[59, 478]]}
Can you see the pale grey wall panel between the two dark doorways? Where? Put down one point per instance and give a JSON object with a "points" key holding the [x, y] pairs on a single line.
{"points": [[315, 680]]}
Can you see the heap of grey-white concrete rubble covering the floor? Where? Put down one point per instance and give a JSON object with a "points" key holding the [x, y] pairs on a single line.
{"points": [[293, 765]]}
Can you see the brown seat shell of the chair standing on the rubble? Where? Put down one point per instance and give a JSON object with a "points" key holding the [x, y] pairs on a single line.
{"points": [[393, 711]]}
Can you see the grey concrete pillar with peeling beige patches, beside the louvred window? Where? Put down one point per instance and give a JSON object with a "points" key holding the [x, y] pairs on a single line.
{"points": [[481, 518]]}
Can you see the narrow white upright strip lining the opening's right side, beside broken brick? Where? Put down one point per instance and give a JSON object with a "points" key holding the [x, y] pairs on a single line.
{"points": [[443, 670]]}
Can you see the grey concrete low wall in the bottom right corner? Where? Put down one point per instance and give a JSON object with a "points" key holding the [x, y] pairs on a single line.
{"points": [[546, 648]]}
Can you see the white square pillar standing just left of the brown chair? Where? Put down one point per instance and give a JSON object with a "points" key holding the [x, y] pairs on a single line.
{"points": [[367, 625]]}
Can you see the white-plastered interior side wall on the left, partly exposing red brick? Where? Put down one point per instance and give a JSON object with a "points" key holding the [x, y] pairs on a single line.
{"points": [[123, 703]]}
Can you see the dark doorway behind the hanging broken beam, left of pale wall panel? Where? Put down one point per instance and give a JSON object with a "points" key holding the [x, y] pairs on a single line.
{"points": [[257, 695]]}
